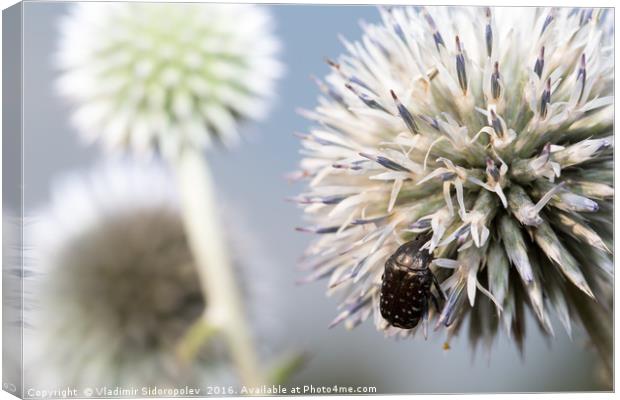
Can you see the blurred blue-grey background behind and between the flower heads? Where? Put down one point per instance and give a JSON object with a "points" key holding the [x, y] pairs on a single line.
{"points": [[253, 176]]}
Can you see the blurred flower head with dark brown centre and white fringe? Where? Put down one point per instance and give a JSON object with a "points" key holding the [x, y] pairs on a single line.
{"points": [[115, 288]]}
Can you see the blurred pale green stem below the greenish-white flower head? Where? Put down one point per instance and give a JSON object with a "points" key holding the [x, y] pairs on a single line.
{"points": [[206, 239]]}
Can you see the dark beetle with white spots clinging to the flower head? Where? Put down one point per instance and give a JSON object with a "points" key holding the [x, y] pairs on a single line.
{"points": [[407, 281]]}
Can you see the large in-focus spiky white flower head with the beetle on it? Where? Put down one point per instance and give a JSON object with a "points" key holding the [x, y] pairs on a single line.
{"points": [[489, 129]]}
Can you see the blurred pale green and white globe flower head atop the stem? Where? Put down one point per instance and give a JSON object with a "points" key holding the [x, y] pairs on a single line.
{"points": [[163, 76]]}
